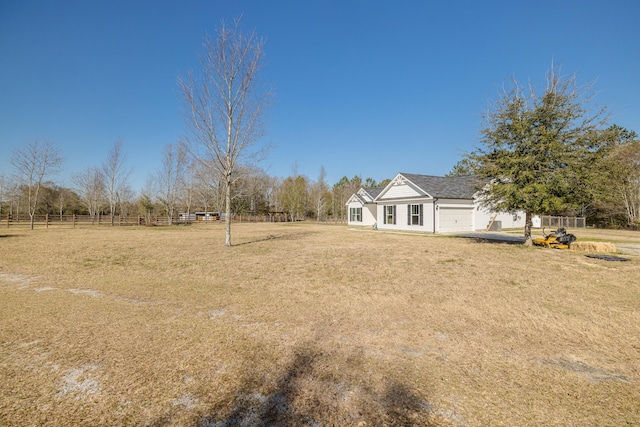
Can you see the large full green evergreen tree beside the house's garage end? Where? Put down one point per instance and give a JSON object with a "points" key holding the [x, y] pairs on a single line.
{"points": [[536, 149]]}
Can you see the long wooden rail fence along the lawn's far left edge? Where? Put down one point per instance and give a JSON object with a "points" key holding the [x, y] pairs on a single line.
{"points": [[139, 220]]}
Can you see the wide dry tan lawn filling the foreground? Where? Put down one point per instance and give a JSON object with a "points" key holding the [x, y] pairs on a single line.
{"points": [[304, 324]]}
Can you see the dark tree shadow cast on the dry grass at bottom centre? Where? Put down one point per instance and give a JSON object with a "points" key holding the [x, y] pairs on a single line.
{"points": [[307, 394]]}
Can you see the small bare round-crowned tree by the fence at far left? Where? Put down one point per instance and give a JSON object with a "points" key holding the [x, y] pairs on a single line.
{"points": [[34, 162]]}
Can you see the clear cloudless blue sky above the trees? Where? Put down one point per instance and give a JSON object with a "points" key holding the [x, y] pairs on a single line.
{"points": [[363, 87]]}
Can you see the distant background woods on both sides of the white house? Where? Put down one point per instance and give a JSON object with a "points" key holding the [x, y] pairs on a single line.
{"points": [[181, 185]]}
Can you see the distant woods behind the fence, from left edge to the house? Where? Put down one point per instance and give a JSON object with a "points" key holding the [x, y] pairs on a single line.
{"points": [[179, 185]]}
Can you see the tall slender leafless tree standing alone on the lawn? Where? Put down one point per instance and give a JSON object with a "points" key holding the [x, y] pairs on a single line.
{"points": [[225, 106]]}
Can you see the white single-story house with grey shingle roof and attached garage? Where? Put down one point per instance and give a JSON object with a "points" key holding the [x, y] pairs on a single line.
{"points": [[426, 203]]}
